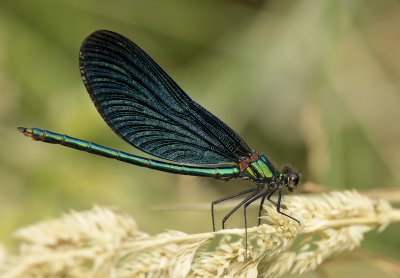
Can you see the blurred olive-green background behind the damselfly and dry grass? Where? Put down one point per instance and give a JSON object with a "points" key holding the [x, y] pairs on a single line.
{"points": [[312, 84]]}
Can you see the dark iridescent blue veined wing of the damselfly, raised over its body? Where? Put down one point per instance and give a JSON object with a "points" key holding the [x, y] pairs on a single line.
{"points": [[145, 107]]}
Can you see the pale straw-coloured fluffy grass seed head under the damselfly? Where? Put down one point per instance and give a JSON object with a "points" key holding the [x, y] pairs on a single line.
{"points": [[104, 243]]}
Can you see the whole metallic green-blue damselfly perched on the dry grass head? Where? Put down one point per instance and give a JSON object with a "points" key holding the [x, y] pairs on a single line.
{"points": [[146, 108]]}
